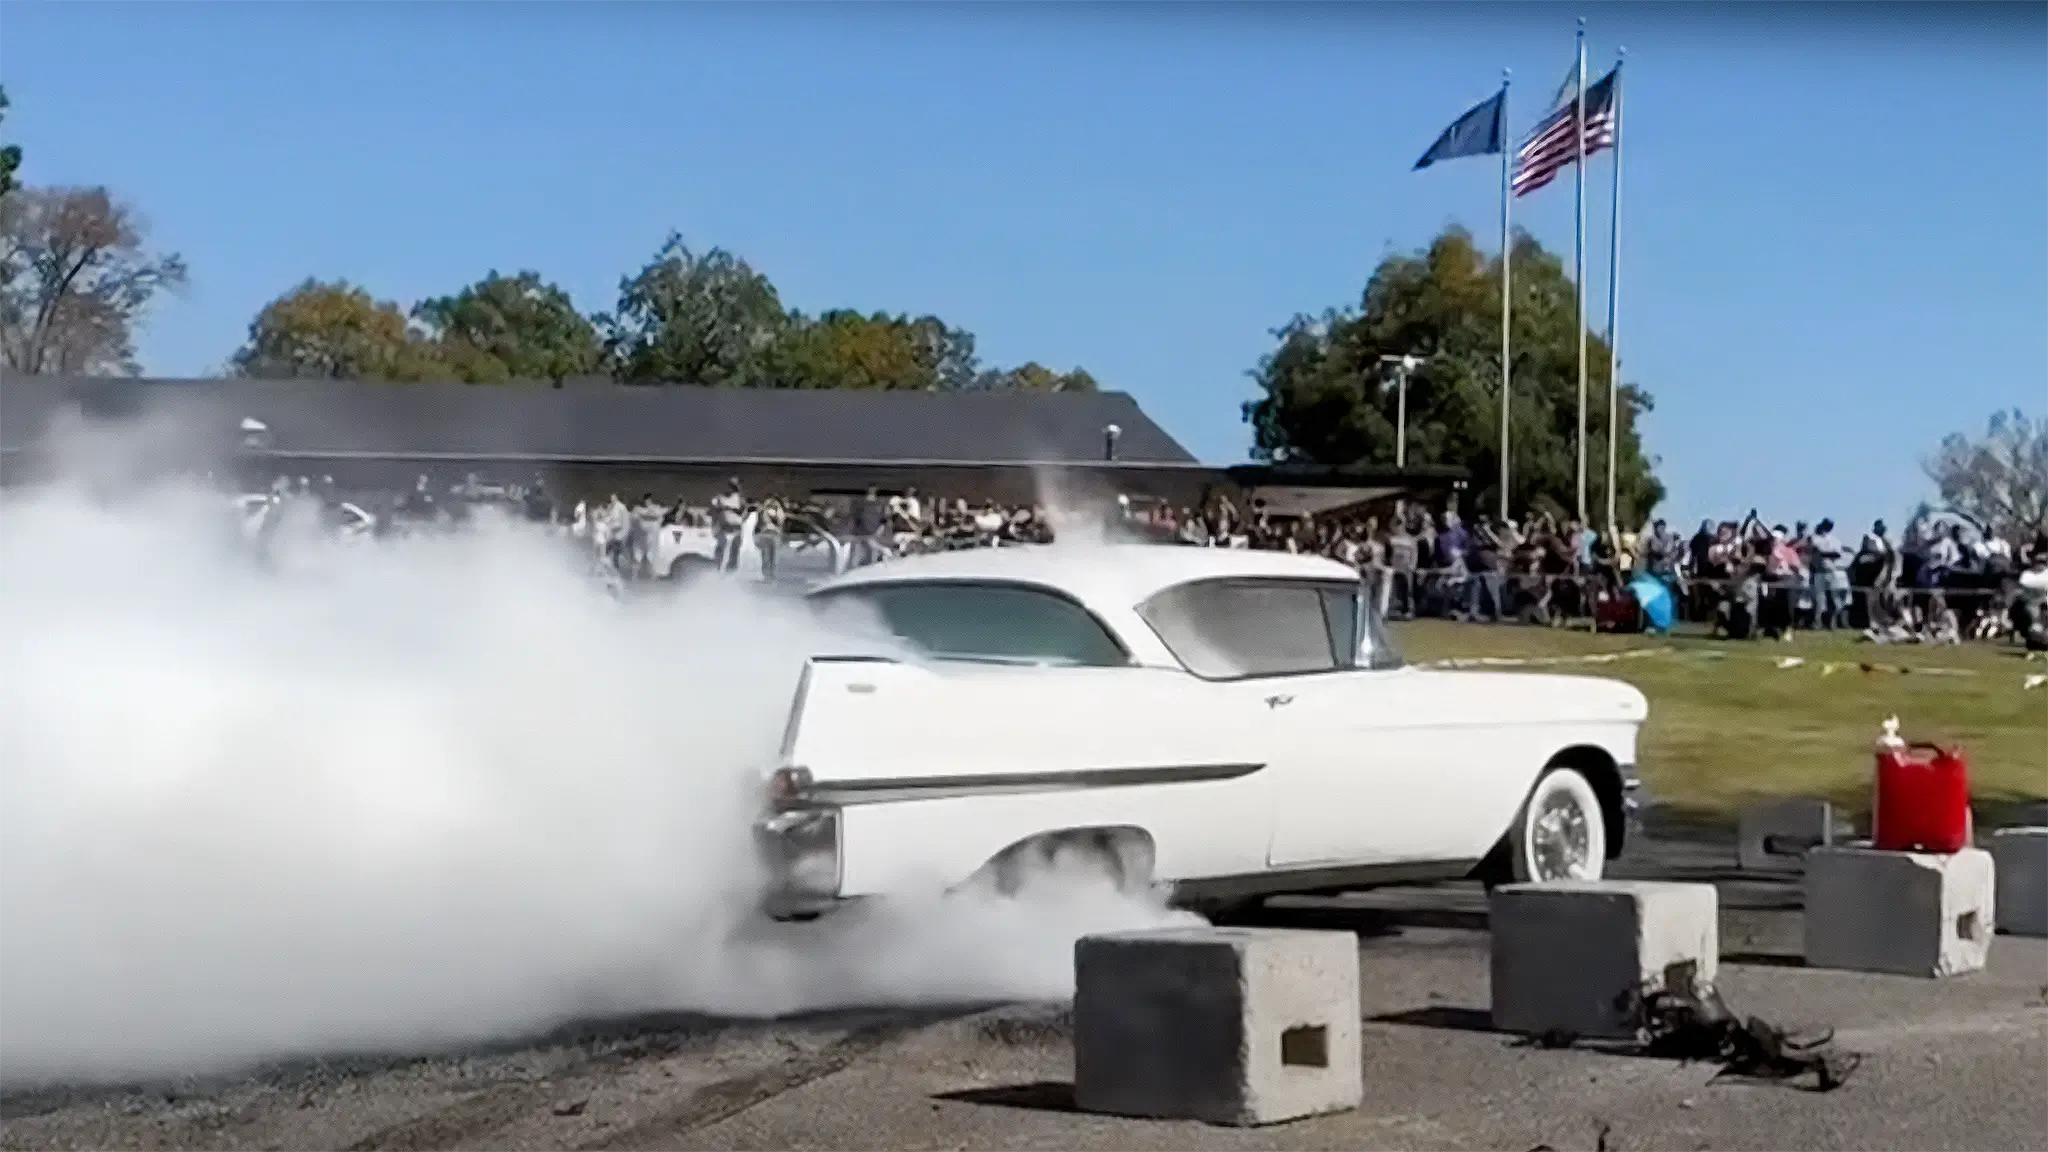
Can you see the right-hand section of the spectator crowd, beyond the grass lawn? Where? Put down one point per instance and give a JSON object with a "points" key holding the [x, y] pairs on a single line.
{"points": [[1947, 581]]}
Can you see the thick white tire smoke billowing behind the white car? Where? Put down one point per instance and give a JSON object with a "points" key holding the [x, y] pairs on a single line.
{"points": [[404, 796]]}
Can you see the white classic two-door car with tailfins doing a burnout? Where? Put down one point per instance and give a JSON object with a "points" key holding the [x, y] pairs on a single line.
{"points": [[1228, 725]]}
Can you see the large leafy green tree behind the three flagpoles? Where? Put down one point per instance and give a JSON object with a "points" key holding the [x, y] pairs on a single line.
{"points": [[1328, 403]]}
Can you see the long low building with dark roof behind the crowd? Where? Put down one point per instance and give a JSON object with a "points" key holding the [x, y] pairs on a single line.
{"points": [[595, 438]]}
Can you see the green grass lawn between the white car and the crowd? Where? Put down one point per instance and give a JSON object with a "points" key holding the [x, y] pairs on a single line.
{"points": [[1730, 727]]}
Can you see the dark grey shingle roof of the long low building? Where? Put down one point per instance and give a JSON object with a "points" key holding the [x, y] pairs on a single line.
{"points": [[607, 421]]}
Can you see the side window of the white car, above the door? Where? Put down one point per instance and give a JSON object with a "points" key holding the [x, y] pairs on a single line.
{"points": [[1226, 630]]}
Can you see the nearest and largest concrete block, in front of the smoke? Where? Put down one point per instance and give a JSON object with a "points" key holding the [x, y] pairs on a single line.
{"points": [[1226, 1026]]}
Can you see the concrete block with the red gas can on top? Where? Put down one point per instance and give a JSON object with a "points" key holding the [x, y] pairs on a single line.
{"points": [[1902, 913]]}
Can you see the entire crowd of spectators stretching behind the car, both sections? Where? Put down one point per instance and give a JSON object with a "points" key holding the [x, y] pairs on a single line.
{"points": [[1945, 581]]}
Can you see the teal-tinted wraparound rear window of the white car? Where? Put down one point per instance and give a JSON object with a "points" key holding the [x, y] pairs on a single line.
{"points": [[988, 622]]}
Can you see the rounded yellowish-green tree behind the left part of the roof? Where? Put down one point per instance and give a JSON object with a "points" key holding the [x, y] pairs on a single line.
{"points": [[337, 331]]}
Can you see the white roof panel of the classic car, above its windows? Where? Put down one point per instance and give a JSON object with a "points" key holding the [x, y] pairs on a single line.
{"points": [[1099, 575]]}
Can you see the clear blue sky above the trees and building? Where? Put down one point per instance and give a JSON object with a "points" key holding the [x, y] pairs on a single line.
{"points": [[1832, 247]]}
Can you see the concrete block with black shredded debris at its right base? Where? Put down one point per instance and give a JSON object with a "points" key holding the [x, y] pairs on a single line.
{"points": [[1578, 958]]}
